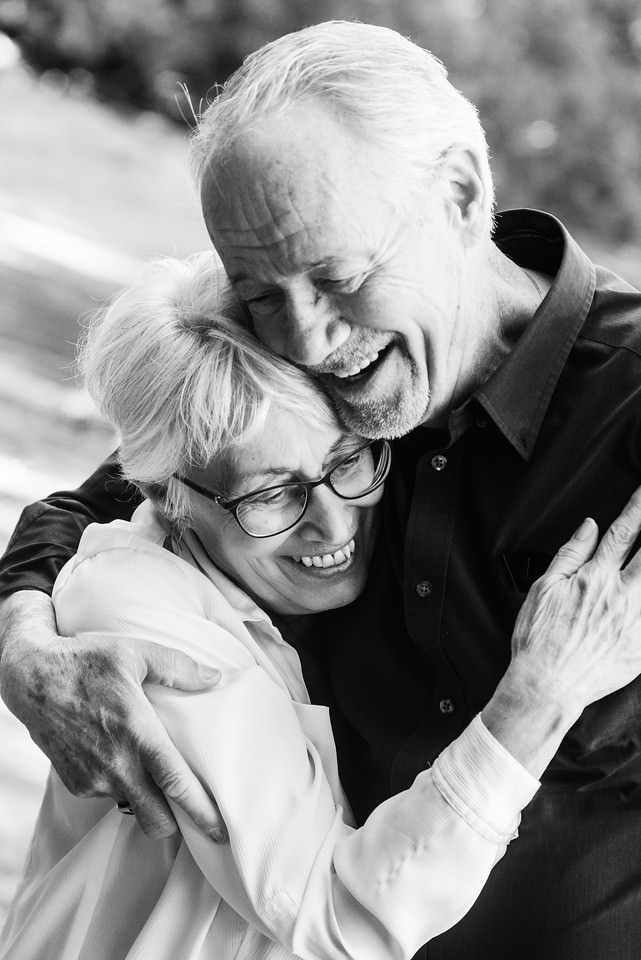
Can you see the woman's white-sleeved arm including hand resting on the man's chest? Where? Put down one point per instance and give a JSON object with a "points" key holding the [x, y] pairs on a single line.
{"points": [[293, 867]]}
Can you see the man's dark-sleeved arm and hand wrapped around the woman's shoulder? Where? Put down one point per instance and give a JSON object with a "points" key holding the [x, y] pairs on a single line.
{"points": [[82, 702]]}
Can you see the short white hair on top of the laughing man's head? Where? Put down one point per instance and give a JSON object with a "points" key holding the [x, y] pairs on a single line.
{"points": [[381, 86]]}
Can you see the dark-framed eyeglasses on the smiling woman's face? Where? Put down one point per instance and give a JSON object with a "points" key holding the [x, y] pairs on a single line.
{"points": [[273, 510]]}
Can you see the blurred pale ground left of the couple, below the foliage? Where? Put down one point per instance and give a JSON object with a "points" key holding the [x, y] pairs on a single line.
{"points": [[85, 192]]}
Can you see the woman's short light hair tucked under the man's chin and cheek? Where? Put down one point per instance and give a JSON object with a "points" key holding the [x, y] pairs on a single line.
{"points": [[171, 365]]}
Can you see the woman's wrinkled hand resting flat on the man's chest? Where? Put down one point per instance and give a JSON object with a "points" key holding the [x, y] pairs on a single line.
{"points": [[576, 639]]}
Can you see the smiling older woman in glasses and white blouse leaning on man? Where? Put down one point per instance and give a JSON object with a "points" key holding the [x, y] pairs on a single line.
{"points": [[259, 502]]}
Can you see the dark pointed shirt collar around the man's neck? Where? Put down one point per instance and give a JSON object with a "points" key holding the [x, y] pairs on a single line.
{"points": [[518, 393]]}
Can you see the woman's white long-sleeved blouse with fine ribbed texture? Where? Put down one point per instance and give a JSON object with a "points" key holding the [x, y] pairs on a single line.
{"points": [[296, 878]]}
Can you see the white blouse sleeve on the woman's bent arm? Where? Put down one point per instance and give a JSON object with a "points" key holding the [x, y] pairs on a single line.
{"points": [[293, 867]]}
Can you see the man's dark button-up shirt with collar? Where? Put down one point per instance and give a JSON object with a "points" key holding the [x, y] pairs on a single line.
{"points": [[473, 514]]}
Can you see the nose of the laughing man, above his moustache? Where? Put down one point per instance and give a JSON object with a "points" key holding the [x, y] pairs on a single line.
{"points": [[314, 326]]}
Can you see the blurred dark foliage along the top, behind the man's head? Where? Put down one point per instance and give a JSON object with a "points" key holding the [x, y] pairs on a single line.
{"points": [[557, 82]]}
